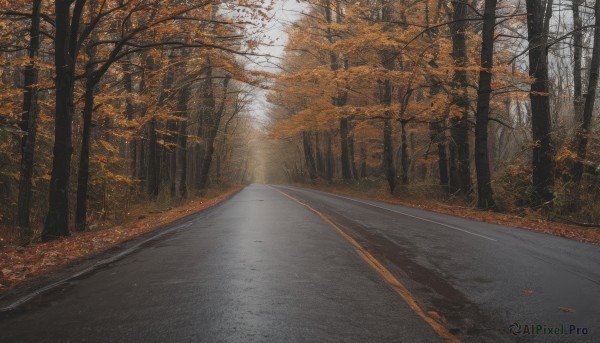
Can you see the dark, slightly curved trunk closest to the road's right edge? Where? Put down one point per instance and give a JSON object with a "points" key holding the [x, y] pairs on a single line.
{"points": [[485, 198]]}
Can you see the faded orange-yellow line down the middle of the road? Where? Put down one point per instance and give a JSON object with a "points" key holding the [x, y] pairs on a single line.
{"points": [[404, 293]]}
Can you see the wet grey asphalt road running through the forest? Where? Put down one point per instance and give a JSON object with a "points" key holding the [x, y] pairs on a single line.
{"points": [[263, 267]]}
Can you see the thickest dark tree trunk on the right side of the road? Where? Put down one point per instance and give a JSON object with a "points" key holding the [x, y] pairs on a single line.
{"points": [[543, 152]]}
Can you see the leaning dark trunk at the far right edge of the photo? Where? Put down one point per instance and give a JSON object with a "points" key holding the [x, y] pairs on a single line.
{"points": [[584, 129]]}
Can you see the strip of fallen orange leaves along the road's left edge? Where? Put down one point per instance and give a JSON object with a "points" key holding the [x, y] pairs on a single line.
{"points": [[42, 274]]}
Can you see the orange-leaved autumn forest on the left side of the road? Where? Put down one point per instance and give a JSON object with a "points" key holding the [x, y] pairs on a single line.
{"points": [[111, 104]]}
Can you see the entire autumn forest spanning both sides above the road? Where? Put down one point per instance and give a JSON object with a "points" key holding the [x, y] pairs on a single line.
{"points": [[112, 105]]}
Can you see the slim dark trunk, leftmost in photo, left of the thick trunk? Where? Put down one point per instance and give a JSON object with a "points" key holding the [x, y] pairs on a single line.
{"points": [[29, 126]]}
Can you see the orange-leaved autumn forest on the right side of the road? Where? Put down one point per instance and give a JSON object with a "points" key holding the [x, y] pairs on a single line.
{"points": [[485, 104]]}
